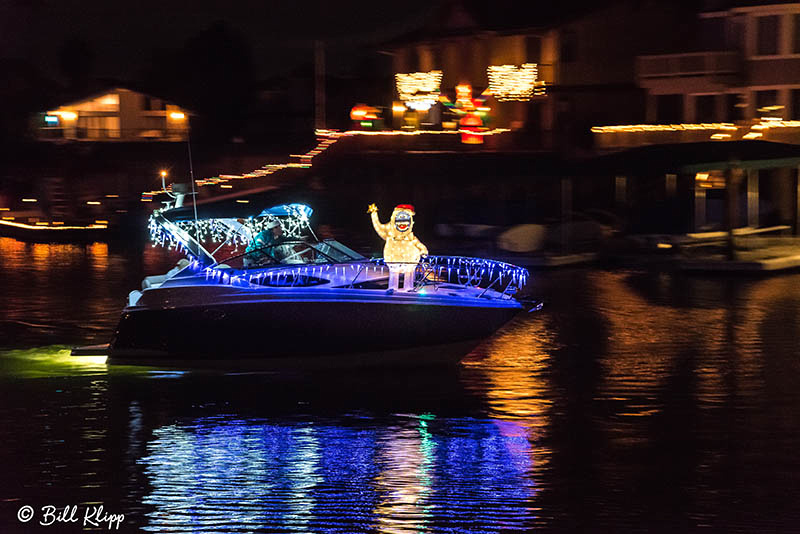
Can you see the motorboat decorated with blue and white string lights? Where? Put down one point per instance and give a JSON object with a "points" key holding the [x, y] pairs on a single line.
{"points": [[318, 302]]}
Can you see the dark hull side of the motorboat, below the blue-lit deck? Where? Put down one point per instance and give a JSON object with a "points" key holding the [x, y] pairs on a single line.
{"points": [[360, 331]]}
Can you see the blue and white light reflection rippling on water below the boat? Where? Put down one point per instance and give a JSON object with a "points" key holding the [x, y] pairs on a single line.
{"points": [[416, 474]]}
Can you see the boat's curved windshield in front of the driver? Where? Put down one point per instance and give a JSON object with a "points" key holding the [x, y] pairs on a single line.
{"points": [[294, 252]]}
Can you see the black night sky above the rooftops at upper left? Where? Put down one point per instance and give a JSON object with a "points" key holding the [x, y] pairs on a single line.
{"points": [[124, 37]]}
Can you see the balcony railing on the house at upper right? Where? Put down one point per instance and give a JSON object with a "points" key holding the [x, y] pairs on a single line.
{"points": [[689, 64]]}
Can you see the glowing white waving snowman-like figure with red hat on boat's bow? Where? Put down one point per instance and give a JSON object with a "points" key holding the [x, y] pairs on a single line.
{"points": [[402, 250]]}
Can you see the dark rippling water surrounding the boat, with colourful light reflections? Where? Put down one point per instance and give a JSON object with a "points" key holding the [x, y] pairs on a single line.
{"points": [[632, 402]]}
